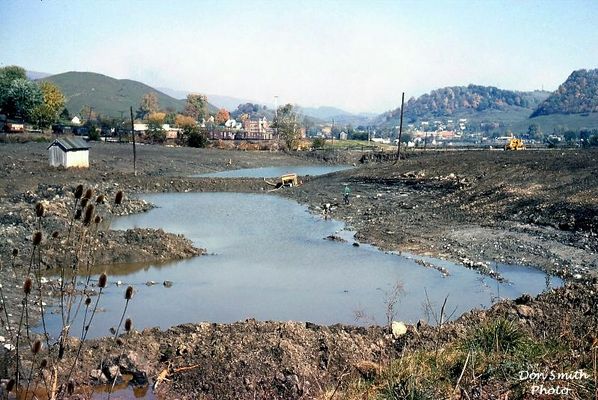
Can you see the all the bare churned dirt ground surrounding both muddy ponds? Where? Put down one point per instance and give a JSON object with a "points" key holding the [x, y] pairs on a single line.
{"points": [[532, 208]]}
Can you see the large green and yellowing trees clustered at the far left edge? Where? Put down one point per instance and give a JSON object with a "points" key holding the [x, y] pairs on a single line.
{"points": [[21, 99]]}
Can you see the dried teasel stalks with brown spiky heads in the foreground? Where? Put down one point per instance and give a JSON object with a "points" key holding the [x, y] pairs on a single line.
{"points": [[47, 366]]}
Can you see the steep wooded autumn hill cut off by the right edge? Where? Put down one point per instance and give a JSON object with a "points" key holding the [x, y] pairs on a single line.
{"points": [[577, 95]]}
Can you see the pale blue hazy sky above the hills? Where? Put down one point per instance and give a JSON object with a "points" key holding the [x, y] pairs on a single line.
{"points": [[356, 55]]}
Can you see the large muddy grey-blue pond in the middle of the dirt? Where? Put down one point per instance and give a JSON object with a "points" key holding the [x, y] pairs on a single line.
{"points": [[268, 259]]}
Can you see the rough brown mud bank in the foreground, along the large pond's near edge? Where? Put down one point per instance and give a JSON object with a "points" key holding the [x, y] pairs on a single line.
{"points": [[300, 360]]}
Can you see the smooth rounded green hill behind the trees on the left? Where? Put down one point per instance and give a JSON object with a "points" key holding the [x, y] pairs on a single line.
{"points": [[108, 96]]}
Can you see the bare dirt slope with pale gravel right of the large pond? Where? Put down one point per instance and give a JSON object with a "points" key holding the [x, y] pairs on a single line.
{"points": [[530, 208]]}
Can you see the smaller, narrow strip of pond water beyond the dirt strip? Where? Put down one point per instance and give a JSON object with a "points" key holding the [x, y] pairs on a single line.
{"points": [[273, 172]]}
